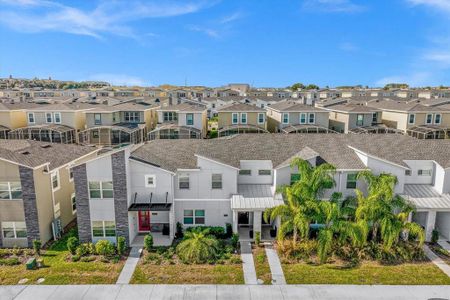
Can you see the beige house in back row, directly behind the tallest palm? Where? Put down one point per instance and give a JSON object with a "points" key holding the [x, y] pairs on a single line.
{"points": [[293, 117]]}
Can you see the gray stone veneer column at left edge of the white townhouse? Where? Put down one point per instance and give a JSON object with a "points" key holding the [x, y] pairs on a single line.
{"points": [[82, 199]]}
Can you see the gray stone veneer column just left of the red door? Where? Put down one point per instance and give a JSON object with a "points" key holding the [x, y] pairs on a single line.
{"points": [[119, 173]]}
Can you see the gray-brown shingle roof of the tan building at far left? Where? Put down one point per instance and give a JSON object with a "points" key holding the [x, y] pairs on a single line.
{"points": [[33, 154]]}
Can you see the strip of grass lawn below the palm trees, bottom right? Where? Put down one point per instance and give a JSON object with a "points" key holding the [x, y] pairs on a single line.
{"points": [[366, 273]]}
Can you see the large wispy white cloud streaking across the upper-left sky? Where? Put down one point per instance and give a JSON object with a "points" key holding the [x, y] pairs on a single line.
{"points": [[111, 17]]}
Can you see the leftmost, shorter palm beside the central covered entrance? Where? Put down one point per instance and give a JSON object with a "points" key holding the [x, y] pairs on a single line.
{"points": [[294, 215]]}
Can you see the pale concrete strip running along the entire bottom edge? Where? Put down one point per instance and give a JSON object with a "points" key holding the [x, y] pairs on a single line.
{"points": [[219, 292]]}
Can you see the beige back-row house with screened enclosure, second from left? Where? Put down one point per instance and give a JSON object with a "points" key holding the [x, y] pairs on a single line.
{"points": [[54, 123]]}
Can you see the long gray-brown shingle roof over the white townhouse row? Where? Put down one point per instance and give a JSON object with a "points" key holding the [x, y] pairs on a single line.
{"points": [[279, 148]]}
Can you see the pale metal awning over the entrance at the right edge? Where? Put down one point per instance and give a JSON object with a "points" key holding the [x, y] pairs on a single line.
{"points": [[425, 197]]}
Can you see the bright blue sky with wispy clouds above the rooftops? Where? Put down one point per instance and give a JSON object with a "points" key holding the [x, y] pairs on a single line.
{"points": [[201, 42]]}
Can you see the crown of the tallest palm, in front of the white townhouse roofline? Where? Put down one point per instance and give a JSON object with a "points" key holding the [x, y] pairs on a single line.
{"points": [[313, 180]]}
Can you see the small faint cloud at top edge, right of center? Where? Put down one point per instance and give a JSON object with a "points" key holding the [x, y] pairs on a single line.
{"points": [[333, 6]]}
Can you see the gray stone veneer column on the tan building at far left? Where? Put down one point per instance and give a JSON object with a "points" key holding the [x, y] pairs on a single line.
{"points": [[29, 204]]}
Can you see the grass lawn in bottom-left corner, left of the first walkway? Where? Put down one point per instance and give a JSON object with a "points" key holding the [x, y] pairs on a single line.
{"points": [[60, 270]]}
